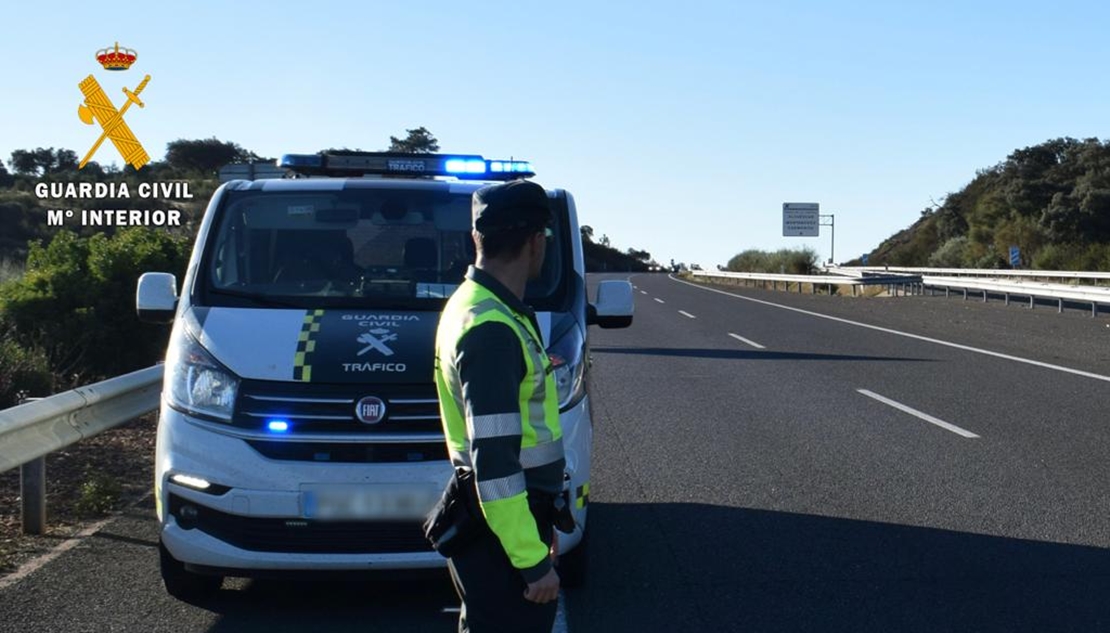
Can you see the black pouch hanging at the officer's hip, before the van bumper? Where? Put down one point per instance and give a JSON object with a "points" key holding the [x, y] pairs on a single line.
{"points": [[457, 521]]}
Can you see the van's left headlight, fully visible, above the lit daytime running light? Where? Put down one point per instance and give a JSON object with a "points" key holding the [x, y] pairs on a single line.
{"points": [[196, 384]]}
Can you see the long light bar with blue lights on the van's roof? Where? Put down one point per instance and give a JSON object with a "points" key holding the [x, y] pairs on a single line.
{"points": [[352, 165]]}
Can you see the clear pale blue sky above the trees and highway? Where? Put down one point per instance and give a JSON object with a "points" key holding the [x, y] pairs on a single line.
{"points": [[680, 127]]}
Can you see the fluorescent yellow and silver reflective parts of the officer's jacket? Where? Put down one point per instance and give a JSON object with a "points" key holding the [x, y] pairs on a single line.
{"points": [[503, 500]]}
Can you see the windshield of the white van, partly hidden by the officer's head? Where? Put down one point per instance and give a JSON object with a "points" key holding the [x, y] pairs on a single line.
{"points": [[403, 249]]}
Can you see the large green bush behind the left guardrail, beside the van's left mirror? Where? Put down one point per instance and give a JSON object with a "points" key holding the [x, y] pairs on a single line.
{"points": [[77, 302]]}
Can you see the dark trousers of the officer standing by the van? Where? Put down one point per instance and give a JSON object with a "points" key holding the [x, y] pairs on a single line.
{"points": [[493, 591]]}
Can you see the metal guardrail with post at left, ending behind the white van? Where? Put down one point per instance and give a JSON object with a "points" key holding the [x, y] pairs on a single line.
{"points": [[28, 433]]}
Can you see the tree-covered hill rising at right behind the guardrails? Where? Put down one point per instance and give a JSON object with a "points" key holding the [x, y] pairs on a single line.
{"points": [[1052, 200]]}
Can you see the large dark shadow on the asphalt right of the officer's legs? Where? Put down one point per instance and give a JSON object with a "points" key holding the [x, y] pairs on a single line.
{"points": [[680, 567]]}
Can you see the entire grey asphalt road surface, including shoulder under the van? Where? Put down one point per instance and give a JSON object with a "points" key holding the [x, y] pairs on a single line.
{"points": [[758, 469]]}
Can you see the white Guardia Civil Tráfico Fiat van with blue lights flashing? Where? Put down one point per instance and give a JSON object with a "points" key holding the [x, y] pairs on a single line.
{"points": [[299, 429]]}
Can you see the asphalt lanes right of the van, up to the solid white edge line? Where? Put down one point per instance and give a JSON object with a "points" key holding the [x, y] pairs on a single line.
{"points": [[746, 489]]}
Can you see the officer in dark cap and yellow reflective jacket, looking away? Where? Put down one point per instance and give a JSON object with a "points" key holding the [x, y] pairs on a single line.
{"points": [[500, 414]]}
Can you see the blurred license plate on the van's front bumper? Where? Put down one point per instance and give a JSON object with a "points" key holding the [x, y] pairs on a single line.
{"points": [[368, 503]]}
